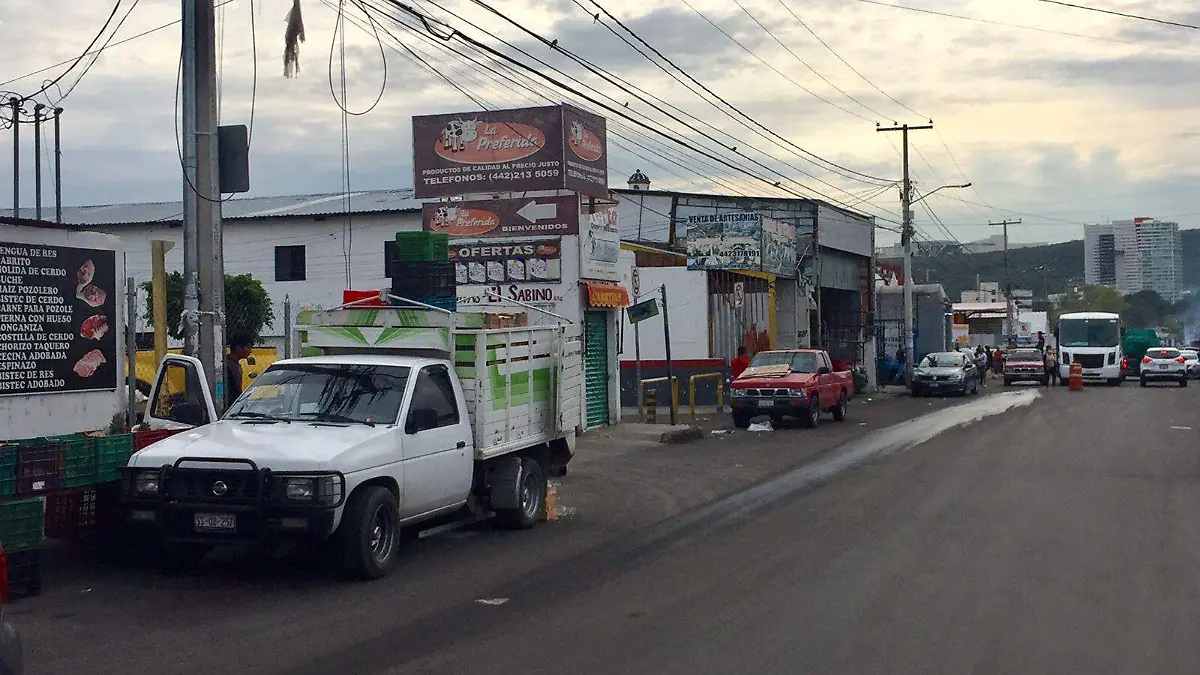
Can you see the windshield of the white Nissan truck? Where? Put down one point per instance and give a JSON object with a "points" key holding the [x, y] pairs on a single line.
{"points": [[341, 393]]}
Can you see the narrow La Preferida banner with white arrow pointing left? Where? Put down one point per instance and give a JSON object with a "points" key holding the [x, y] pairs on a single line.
{"points": [[535, 217]]}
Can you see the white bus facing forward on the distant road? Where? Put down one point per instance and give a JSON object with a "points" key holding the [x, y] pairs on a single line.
{"points": [[1094, 341]]}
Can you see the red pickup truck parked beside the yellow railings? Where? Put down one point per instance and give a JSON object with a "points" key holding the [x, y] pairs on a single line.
{"points": [[791, 383]]}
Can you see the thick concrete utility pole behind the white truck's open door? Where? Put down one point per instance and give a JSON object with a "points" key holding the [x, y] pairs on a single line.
{"points": [[203, 262]]}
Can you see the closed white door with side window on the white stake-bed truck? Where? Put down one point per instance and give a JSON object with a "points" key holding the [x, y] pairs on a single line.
{"points": [[439, 452]]}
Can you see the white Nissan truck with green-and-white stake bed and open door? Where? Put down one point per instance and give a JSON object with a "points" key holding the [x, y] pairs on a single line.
{"points": [[392, 422]]}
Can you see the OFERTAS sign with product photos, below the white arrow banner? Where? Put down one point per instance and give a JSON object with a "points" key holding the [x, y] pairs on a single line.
{"points": [[494, 264]]}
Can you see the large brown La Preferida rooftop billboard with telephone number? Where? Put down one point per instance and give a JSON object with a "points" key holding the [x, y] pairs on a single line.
{"points": [[523, 150]]}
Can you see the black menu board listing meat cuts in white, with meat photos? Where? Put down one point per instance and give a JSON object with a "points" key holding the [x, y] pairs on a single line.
{"points": [[58, 314]]}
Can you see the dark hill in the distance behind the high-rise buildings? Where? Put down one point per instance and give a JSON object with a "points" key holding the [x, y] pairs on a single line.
{"points": [[1064, 267]]}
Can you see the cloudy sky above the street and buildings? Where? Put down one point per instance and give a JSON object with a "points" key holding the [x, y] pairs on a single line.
{"points": [[1058, 116]]}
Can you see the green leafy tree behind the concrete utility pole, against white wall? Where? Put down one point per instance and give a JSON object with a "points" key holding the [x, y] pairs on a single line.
{"points": [[248, 307]]}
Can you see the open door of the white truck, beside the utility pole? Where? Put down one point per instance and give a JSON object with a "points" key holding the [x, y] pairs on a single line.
{"points": [[181, 397]]}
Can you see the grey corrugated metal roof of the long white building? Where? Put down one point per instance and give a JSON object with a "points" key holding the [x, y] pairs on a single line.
{"points": [[329, 204]]}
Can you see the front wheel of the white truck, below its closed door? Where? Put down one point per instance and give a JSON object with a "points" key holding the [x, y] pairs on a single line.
{"points": [[370, 534]]}
